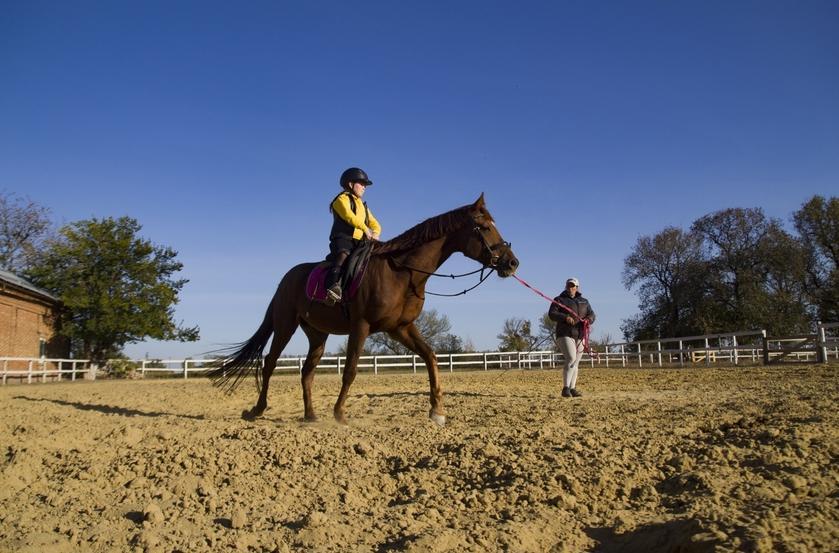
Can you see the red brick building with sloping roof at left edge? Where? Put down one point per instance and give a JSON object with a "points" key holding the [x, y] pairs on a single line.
{"points": [[27, 320]]}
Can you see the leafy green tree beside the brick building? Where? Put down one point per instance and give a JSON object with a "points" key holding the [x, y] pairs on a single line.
{"points": [[116, 287]]}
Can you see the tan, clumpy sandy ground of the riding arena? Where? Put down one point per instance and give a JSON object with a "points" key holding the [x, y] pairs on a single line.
{"points": [[690, 460]]}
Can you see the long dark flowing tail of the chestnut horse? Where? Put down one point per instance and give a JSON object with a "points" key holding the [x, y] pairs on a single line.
{"points": [[236, 362]]}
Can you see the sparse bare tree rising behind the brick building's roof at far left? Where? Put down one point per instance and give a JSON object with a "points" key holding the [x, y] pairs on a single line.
{"points": [[24, 227]]}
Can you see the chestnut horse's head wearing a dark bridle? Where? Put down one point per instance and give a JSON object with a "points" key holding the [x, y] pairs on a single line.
{"points": [[484, 243]]}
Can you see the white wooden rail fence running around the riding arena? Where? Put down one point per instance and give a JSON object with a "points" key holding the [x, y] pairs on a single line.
{"points": [[735, 348]]}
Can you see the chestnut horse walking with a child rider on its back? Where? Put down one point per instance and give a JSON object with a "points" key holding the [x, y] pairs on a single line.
{"points": [[389, 299]]}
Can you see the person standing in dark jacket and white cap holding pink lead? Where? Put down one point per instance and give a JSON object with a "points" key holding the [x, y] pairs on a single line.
{"points": [[572, 317]]}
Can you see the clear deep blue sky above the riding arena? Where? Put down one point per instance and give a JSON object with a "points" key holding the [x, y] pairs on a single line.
{"points": [[222, 127]]}
